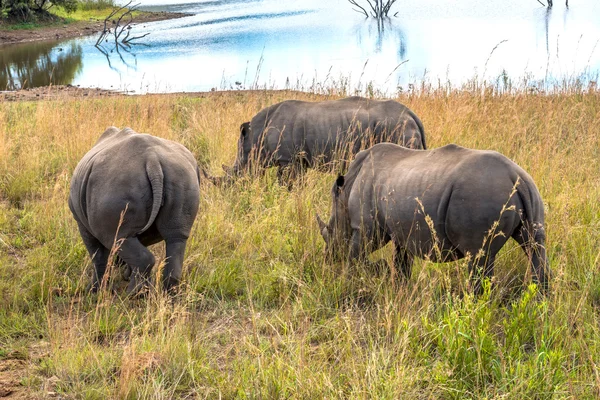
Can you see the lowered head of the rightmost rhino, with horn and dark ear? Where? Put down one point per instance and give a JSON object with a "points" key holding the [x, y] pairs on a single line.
{"points": [[337, 232]]}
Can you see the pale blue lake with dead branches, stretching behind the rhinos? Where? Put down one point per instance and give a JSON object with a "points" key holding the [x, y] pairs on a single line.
{"points": [[315, 44]]}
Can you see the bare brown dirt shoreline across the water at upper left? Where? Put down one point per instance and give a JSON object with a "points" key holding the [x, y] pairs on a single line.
{"points": [[74, 29]]}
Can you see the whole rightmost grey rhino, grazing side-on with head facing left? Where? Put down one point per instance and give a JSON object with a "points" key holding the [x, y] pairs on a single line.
{"points": [[463, 191]]}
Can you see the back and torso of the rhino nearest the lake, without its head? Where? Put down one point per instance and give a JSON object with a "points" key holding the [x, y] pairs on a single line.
{"points": [[319, 129]]}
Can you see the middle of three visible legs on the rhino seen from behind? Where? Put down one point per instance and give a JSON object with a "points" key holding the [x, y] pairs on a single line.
{"points": [[140, 260]]}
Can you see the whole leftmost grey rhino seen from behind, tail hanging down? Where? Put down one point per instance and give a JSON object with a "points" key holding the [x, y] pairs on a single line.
{"points": [[156, 181]]}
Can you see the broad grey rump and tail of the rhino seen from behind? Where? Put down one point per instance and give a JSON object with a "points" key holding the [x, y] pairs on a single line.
{"points": [[123, 173]]}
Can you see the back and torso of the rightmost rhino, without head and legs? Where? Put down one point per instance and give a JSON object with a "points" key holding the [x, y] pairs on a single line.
{"points": [[458, 189]]}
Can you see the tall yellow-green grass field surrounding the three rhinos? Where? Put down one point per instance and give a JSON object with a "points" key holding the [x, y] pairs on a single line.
{"points": [[262, 315]]}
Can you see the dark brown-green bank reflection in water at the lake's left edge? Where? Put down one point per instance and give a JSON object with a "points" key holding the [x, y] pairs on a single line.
{"points": [[39, 64]]}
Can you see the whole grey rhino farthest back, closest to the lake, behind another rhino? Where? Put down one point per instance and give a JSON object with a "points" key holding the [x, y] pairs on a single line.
{"points": [[303, 134]]}
